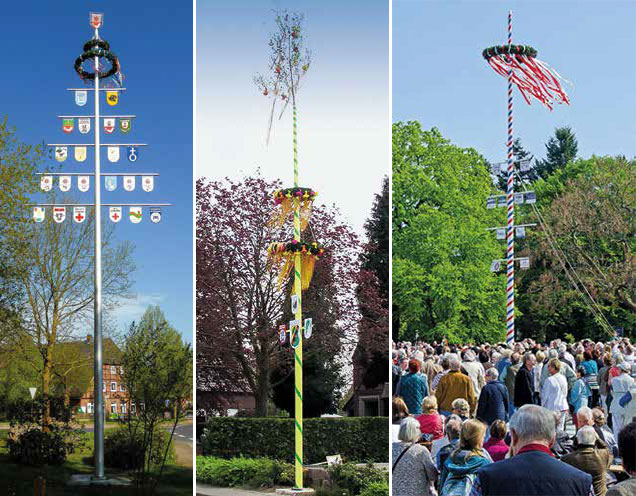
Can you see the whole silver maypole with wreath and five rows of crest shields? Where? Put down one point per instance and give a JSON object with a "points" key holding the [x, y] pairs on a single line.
{"points": [[95, 50]]}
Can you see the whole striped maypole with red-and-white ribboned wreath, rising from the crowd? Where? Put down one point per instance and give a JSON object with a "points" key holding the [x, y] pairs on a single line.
{"points": [[533, 78]]}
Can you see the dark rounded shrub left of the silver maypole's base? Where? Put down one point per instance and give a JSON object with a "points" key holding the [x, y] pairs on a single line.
{"points": [[36, 447]]}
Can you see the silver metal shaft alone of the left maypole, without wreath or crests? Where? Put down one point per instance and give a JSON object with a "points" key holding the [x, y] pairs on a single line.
{"points": [[97, 338]]}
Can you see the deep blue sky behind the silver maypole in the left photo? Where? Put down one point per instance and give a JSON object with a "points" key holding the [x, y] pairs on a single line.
{"points": [[153, 41]]}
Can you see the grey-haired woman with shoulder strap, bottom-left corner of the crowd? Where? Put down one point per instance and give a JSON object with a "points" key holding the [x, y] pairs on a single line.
{"points": [[413, 471]]}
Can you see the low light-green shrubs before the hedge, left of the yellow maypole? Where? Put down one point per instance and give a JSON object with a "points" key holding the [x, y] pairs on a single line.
{"points": [[243, 472]]}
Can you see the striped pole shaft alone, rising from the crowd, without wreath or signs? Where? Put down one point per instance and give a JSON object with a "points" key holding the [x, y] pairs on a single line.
{"points": [[510, 203]]}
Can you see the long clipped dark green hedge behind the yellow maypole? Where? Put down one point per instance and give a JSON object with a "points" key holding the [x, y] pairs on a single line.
{"points": [[359, 439]]}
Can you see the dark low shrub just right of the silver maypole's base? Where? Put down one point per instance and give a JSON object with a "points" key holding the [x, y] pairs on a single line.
{"points": [[124, 450]]}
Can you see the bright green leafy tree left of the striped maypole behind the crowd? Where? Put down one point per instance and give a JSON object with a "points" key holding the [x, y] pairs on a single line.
{"points": [[442, 286]]}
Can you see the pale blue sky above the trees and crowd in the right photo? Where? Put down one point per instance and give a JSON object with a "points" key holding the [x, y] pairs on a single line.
{"points": [[441, 79]]}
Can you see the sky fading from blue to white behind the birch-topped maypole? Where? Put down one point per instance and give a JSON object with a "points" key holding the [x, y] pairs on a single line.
{"points": [[343, 104]]}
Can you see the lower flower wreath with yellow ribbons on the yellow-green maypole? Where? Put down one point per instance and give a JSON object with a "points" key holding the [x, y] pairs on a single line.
{"points": [[286, 253]]}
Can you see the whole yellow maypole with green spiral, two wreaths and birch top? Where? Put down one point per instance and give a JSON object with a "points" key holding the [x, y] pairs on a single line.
{"points": [[289, 62]]}
